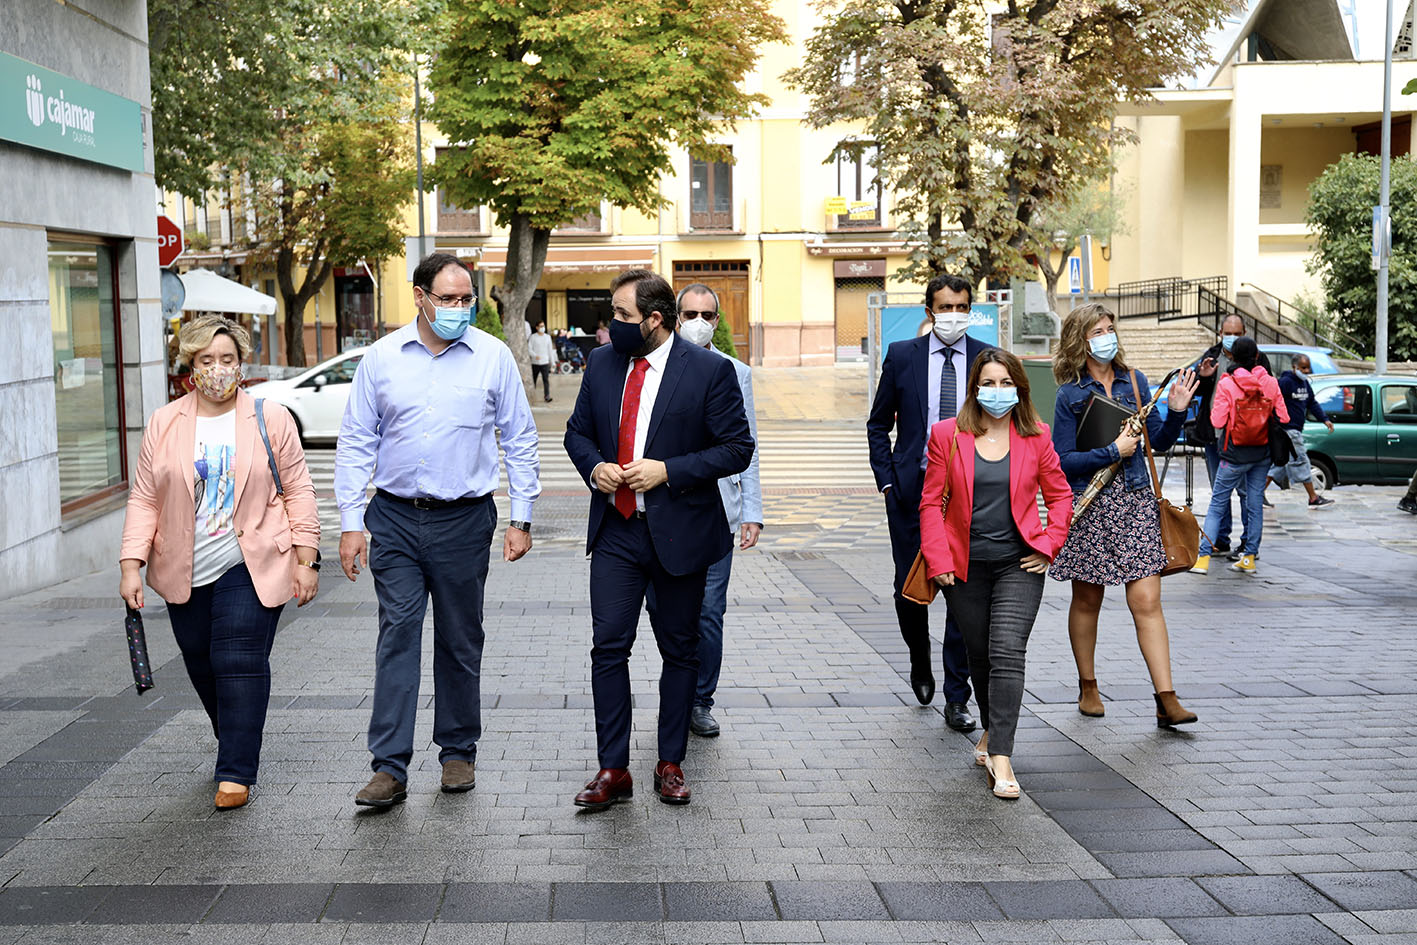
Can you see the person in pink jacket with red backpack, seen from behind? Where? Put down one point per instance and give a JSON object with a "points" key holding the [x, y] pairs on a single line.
{"points": [[1245, 400]]}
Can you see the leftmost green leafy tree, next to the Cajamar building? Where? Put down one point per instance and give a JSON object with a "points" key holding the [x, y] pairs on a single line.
{"points": [[315, 144]]}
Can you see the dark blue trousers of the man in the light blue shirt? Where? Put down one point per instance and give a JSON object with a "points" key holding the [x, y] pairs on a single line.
{"points": [[417, 555]]}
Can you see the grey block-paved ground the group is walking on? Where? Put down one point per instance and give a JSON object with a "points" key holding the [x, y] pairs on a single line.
{"points": [[832, 808]]}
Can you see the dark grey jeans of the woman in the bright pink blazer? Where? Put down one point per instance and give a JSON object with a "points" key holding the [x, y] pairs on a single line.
{"points": [[997, 607]]}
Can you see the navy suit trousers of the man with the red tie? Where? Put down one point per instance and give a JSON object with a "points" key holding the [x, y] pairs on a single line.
{"points": [[623, 567]]}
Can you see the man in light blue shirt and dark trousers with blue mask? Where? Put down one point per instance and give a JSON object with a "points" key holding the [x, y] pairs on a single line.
{"points": [[424, 414]]}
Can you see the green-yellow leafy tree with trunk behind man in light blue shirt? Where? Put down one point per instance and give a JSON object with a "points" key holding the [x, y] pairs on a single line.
{"points": [[563, 104]]}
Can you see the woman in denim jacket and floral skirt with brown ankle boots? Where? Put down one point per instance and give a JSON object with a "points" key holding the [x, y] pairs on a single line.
{"points": [[1119, 539]]}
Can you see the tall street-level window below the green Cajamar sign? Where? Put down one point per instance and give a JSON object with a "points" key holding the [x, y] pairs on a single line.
{"points": [[87, 361]]}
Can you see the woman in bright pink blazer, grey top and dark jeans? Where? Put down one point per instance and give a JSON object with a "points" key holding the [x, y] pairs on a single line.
{"points": [[990, 549]]}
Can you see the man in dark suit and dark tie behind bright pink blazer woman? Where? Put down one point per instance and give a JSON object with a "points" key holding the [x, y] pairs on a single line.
{"points": [[923, 382]]}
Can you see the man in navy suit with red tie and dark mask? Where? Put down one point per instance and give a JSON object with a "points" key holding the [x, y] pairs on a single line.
{"points": [[657, 426]]}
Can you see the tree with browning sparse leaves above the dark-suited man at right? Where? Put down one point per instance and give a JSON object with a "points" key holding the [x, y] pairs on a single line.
{"points": [[984, 118]]}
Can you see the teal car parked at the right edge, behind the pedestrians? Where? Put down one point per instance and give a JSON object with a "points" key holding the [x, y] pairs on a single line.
{"points": [[1375, 430]]}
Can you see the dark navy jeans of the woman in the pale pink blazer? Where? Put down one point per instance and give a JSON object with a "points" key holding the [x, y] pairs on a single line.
{"points": [[226, 634]]}
